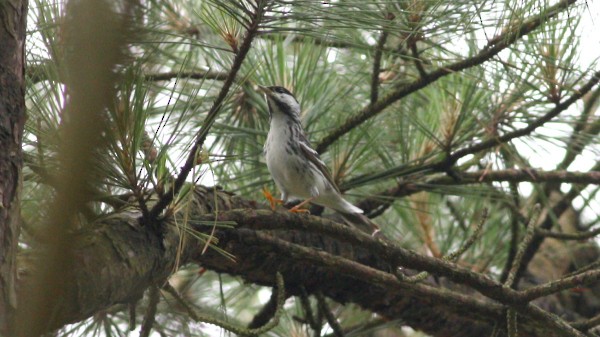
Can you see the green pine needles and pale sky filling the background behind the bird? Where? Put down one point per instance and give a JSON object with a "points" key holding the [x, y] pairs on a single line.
{"points": [[400, 140]]}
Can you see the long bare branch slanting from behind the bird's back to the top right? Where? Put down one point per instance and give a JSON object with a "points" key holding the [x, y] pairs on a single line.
{"points": [[501, 42]]}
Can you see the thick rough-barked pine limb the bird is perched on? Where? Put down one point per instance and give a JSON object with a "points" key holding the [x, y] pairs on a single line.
{"points": [[118, 259]]}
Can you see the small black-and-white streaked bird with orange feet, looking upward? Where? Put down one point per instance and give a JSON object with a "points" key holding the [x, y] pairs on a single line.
{"points": [[296, 167]]}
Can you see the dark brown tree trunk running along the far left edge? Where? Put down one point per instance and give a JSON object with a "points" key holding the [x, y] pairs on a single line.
{"points": [[12, 119]]}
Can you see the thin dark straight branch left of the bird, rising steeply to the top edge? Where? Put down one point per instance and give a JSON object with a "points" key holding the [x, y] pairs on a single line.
{"points": [[212, 114]]}
